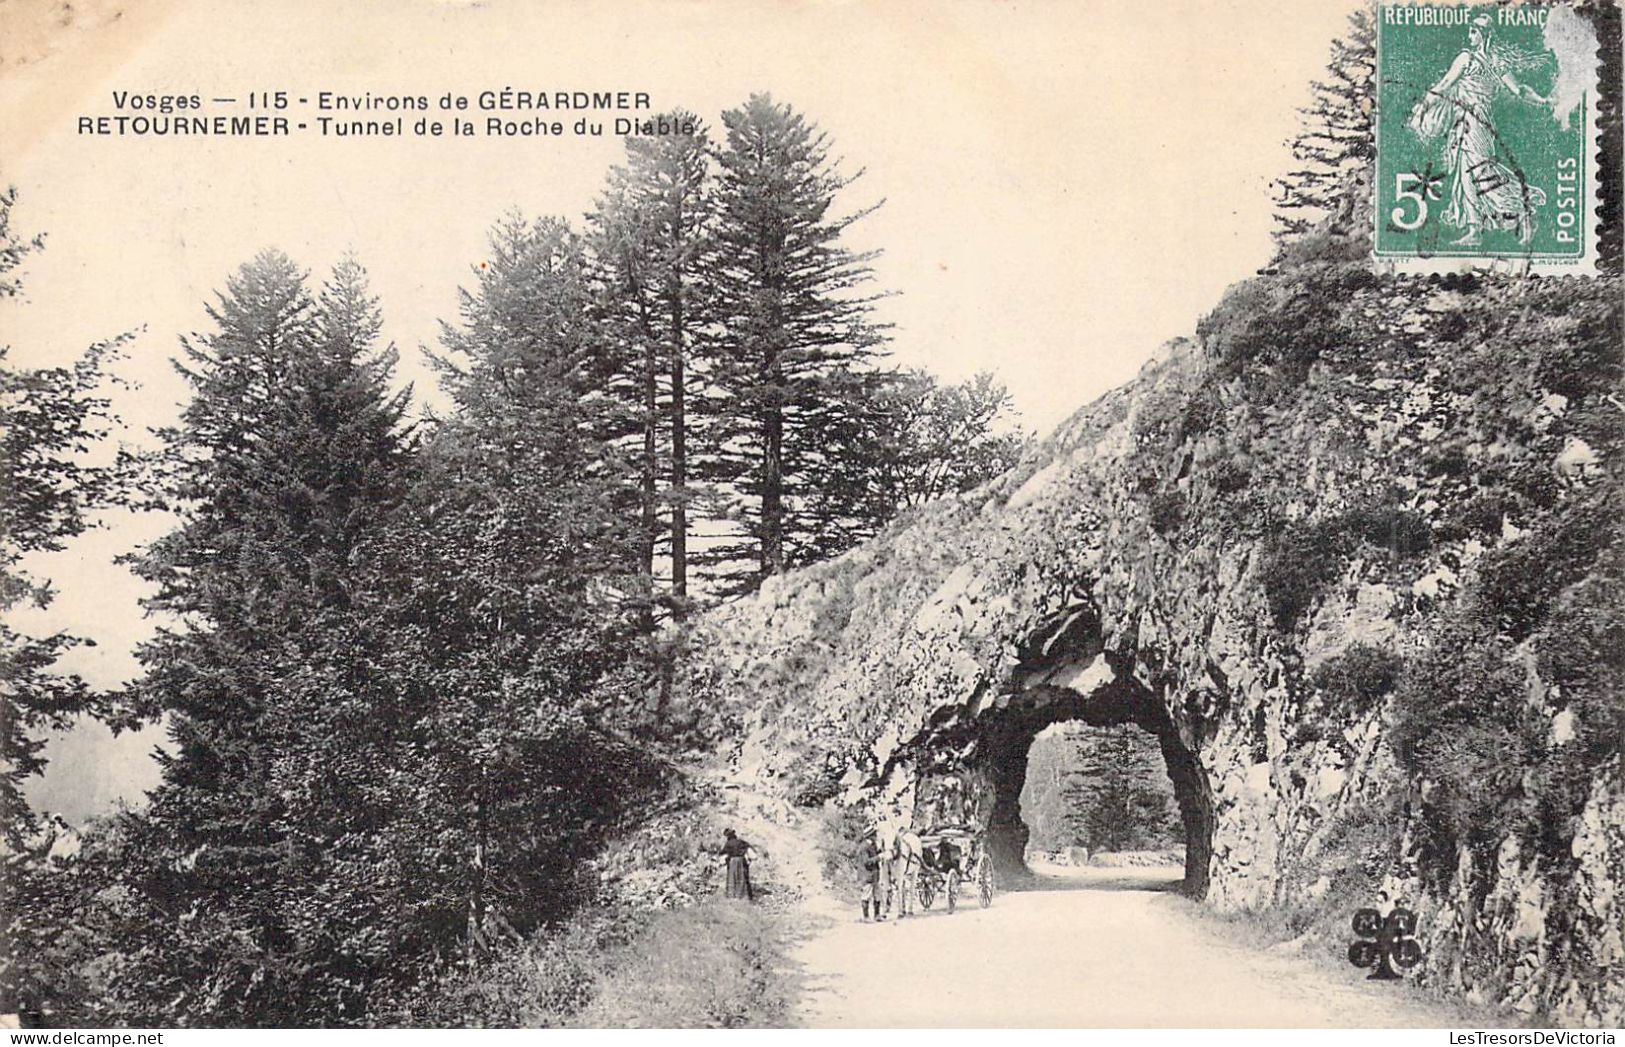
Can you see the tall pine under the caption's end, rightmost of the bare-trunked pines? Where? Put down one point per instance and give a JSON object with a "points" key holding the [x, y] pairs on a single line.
{"points": [[794, 326]]}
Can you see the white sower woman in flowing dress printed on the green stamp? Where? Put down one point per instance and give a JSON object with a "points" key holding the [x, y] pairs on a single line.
{"points": [[1484, 193]]}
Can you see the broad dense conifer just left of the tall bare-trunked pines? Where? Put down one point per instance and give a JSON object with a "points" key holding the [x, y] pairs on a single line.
{"points": [[509, 601]]}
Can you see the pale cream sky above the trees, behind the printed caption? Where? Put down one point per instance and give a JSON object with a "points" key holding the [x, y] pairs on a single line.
{"points": [[1068, 185]]}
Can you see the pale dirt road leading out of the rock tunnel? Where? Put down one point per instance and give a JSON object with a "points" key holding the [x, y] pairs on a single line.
{"points": [[1111, 949]]}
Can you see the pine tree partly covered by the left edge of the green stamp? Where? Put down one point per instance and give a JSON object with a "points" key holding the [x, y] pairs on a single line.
{"points": [[1338, 133]]}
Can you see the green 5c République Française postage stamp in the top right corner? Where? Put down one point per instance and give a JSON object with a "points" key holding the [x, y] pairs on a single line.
{"points": [[1486, 139]]}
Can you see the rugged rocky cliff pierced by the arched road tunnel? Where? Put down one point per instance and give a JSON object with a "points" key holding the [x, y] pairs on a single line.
{"points": [[1351, 554]]}
